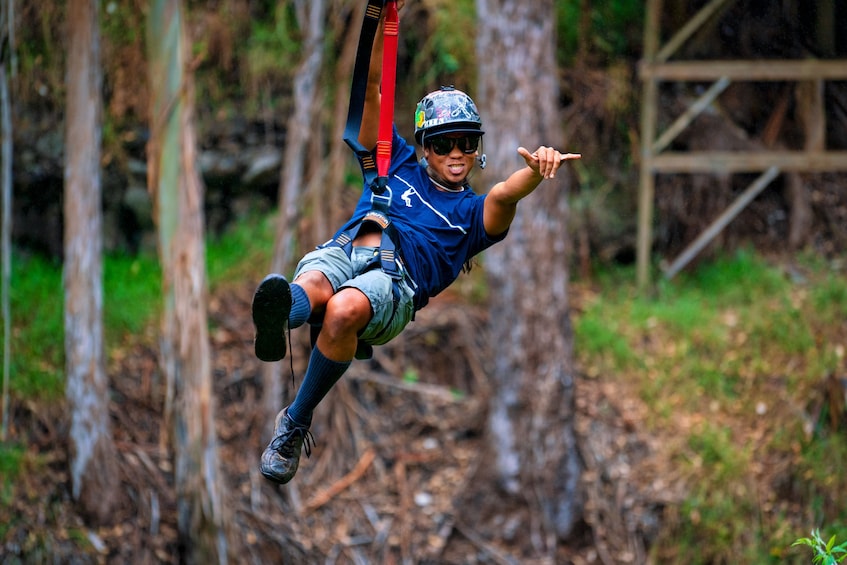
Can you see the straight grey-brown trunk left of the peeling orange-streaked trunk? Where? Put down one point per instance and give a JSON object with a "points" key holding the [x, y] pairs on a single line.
{"points": [[94, 475]]}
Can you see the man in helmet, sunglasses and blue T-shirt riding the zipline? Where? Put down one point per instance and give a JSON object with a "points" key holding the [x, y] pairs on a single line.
{"points": [[399, 248]]}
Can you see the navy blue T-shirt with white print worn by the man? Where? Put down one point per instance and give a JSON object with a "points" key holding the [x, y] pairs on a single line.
{"points": [[436, 231]]}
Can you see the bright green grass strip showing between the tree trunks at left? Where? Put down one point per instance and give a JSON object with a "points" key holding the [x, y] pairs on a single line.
{"points": [[131, 302]]}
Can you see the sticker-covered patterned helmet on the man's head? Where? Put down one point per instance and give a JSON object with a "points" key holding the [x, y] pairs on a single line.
{"points": [[446, 111]]}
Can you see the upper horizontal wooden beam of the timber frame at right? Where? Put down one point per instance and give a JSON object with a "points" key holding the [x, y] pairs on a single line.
{"points": [[746, 70]]}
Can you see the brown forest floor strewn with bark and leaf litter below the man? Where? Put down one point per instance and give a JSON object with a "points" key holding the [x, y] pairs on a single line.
{"points": [[395, 475]]}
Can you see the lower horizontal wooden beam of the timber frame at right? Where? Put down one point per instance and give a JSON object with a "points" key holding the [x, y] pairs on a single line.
{"points": [[749, 162]]}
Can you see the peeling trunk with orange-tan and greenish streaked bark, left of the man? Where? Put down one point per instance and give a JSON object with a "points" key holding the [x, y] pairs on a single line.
{"points": [[177, 192]]}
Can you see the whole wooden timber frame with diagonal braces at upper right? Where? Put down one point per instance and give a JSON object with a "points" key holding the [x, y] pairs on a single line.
{"points": [[655, 69]]}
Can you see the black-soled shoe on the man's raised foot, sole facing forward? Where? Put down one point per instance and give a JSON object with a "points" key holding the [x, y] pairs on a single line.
{"points": [[271, 306]]}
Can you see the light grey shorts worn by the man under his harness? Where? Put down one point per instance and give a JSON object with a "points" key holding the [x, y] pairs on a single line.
{"points": [[349, 272]]}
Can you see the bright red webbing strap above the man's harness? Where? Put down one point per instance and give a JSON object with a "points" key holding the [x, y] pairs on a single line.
{"points": [[389, 76]]}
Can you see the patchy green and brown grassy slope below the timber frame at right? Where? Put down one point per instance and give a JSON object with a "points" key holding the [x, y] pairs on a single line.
{"points": [[729, 360]]}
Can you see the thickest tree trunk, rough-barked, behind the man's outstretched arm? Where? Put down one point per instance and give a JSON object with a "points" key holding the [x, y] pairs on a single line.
{"points": [[532, 416]]}
